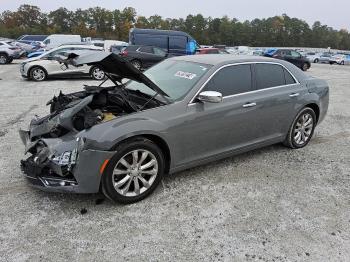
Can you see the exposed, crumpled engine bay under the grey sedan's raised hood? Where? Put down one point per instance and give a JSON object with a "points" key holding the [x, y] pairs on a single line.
{"points": [[84, 109]]}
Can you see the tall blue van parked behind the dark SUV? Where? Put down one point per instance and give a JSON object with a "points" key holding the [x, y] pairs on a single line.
{"points": [[173, 42]]}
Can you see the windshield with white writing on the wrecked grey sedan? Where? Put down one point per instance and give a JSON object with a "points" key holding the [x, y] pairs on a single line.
{"points": [[175, 78]]}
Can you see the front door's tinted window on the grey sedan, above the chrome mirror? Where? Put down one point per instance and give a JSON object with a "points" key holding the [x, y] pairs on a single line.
{"points": [[231, 80]]}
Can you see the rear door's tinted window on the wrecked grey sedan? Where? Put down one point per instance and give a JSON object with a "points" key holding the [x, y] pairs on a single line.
{"points": [[269, 75]]}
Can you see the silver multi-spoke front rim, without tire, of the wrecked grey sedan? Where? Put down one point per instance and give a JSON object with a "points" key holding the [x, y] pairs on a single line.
{"points": [[135, 173]]}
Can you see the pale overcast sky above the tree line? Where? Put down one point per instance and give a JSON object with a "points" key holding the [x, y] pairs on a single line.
{"points": [[333, 13]]}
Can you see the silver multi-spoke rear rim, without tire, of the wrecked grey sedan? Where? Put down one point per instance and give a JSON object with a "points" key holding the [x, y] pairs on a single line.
{"points": [[303, 129]]}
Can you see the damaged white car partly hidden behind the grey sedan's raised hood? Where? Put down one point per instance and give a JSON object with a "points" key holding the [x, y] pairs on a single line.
{"points": [[48, 64]]}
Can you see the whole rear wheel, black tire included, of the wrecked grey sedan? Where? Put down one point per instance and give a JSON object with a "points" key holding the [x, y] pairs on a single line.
{"points": [[292, 139]]}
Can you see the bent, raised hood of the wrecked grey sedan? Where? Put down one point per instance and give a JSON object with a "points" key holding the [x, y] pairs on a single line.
{"points": [[114, 65]]}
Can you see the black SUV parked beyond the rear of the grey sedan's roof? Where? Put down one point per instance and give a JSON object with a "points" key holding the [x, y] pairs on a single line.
{"points": [[291, 56]]}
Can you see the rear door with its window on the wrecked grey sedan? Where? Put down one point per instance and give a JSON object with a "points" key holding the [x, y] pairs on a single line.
{"points": [[276, 95]]}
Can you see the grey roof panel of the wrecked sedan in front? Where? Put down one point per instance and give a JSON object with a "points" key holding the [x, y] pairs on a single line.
{"points": [[215, 59]]}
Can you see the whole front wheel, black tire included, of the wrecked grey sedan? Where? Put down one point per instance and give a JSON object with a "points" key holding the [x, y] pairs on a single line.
{"points": [[122, 170]]}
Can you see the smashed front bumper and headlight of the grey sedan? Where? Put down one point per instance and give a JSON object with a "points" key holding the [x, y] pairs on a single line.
{"points": [[63, 164]]}
